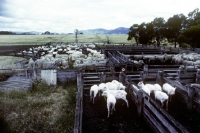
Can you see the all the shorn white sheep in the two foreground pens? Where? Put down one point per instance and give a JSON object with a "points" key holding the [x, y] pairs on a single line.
{"points": [[116, 90]]}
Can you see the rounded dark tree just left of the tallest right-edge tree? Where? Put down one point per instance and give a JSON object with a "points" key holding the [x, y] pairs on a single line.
{"points": [[174, 27]]}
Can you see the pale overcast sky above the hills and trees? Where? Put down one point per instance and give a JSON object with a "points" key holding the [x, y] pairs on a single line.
{"points": [[63, 16]]}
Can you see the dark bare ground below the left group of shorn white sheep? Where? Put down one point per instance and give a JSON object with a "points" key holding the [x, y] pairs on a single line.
{"points": [[123, 120]]}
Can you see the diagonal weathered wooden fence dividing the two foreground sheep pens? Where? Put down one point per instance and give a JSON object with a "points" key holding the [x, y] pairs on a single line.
{"points": [[156, 117]]}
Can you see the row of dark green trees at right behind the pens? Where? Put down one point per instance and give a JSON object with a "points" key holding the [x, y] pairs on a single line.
{"points": [[179, 29]]}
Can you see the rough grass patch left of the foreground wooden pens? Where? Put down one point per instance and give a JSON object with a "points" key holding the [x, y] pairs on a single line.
{"points": [[44, 109]]}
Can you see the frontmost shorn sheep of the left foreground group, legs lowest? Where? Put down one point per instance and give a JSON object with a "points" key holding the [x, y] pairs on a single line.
{"points": [[111, 101]]}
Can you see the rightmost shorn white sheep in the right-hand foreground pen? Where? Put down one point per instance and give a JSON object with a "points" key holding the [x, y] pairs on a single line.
{"points": [[170, 90]]}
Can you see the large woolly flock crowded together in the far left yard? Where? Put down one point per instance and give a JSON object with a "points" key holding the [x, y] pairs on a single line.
{"points": [[58, 56]]}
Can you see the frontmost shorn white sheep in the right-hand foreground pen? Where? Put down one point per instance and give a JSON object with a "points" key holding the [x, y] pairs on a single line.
{"points": [[162, 97]]}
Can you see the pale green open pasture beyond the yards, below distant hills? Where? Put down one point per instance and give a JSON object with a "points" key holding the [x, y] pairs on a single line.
{"points": [[70, 38]]}
